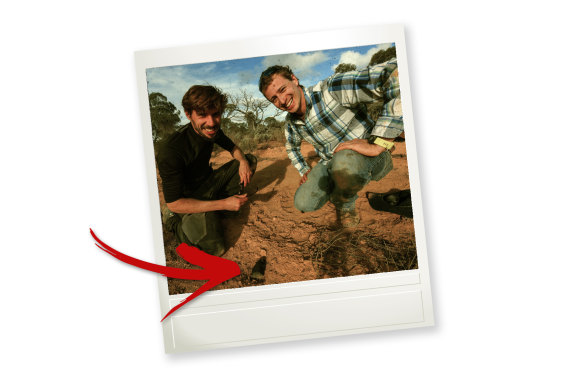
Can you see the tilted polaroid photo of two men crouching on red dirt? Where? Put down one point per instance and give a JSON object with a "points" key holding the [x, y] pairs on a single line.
{"points": [[297, 161]]}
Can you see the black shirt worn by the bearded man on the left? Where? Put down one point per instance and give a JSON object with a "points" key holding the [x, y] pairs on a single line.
{"points": [[183, 161]]}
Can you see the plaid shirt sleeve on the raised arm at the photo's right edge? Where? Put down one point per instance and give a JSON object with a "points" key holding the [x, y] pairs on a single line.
{"points": [[375, 83]]}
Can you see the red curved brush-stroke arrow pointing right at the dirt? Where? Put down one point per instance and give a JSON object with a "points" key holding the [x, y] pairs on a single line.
{"points": [[214, 269]]}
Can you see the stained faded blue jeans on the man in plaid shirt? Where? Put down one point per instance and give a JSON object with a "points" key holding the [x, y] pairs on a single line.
{"points": [[340, 180]]}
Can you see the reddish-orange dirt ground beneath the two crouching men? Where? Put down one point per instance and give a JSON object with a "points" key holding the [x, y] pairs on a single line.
{"points": [[305, 246]]}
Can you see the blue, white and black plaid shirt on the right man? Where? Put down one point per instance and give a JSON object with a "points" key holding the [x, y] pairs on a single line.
{"points": [[336, 112]]}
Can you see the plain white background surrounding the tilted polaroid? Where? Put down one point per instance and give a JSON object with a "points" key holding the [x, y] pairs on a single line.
{"points": [[497, 94]]}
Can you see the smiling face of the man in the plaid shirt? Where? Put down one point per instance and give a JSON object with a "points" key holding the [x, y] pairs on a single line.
{"points": [[286, 94]]}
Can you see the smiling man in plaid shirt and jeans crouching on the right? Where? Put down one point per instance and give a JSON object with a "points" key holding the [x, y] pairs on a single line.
{"points": [[332, 116]]}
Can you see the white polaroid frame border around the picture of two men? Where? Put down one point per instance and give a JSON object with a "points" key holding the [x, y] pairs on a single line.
{"points": [[298, 310]]}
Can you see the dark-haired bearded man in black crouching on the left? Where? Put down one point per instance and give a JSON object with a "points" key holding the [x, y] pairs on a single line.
{"points": [[193, 191]]}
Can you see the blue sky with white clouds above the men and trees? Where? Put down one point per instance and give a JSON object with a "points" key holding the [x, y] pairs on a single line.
{"points": [[233, 76]]}
